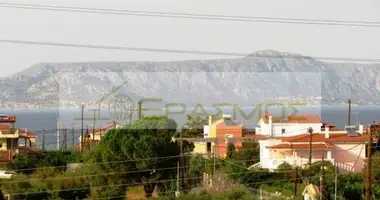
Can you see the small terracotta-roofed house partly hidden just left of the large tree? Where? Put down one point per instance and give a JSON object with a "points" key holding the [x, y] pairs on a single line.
{"points": [[92, 136]]}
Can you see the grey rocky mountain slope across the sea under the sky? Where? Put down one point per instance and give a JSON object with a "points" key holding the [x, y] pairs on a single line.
{"points": [[240, 81]]}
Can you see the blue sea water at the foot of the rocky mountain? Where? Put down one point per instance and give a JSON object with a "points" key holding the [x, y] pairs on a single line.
{"points": [[45, 121]]}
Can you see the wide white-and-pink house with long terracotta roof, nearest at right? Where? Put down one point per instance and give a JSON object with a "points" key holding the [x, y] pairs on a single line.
{"points": [[346, 150]]}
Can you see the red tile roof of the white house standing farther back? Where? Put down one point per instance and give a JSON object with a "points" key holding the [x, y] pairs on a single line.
{"points": [[294, 119]]}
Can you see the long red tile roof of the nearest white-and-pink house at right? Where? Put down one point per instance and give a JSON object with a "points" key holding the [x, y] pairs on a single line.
{"points": [[333, 137]]}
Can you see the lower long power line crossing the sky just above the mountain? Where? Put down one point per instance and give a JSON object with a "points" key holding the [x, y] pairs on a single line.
{"points": [[199, 52]]}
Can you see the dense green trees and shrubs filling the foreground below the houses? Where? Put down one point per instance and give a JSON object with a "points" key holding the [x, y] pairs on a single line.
{"points": [[145, 154]]}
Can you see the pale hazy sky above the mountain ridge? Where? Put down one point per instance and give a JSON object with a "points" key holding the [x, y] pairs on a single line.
{"points": [[188, 34]]}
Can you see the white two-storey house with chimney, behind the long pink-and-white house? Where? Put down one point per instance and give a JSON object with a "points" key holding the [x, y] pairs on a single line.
{"points": [[293, 125]]}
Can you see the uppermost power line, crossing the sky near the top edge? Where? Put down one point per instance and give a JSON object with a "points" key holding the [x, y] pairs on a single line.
{"points": [[190, 15]]}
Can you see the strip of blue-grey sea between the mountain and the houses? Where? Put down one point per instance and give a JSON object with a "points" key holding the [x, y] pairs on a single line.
{"points": [[47, 121]]}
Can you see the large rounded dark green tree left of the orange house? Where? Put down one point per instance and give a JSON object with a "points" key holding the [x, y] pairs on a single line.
{"points": [[141, 153]]}
